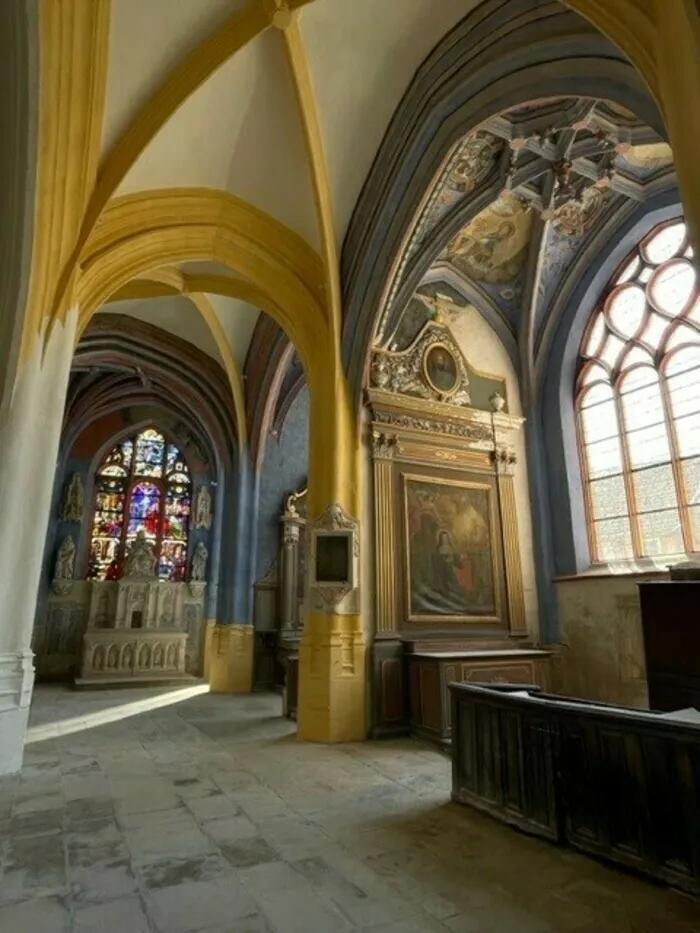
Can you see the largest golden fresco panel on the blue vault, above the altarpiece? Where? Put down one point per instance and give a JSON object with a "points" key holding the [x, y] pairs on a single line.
{"points": [[493, 246]]}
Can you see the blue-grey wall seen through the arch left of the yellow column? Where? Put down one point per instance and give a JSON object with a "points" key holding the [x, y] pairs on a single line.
{"points": [[284, 470]]}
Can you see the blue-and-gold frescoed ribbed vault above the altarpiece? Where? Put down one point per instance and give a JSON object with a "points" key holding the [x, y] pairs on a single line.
{"points": [[517, 199]]}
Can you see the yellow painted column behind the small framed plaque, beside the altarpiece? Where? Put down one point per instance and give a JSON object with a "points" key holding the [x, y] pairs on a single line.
{"points": [[332, 671]]}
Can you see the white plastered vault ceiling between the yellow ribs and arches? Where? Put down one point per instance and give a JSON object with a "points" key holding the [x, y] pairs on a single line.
{"points": [[241, 131]]}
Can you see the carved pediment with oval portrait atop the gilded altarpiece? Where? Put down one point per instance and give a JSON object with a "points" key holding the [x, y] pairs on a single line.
{"points": [[432, 367]]}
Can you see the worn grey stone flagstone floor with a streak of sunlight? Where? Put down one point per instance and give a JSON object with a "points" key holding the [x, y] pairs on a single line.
{"points": [[165, 811]]}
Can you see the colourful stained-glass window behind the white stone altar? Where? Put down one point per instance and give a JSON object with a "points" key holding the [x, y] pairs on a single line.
{"points": [[142, 484]]}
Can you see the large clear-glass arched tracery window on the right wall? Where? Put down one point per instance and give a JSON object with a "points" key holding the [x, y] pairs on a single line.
{"points": [[638, 405]]}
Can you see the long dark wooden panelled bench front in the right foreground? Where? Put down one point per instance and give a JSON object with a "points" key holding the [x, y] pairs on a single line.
{"points": [[616, 783]]}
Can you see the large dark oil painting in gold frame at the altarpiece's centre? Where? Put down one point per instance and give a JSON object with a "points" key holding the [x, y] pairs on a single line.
{"points": [[450, 550]]}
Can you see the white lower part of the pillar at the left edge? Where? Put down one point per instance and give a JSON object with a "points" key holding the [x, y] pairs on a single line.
{"points": [[29, 440]]}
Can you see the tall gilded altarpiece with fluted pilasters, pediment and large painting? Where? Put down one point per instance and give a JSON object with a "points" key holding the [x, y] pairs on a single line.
{"points": [[449, 583]]}
